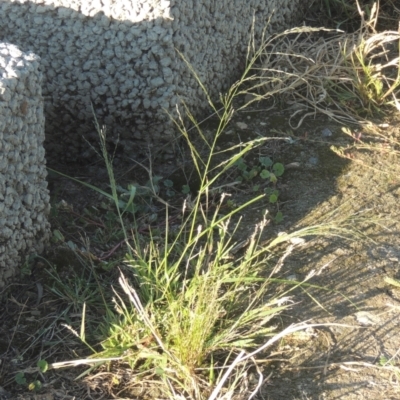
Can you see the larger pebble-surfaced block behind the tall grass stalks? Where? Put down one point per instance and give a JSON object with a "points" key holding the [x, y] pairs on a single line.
{"points": [[121, 57]]}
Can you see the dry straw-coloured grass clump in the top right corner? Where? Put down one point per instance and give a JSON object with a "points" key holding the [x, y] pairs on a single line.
{"points": [[349, 77]]}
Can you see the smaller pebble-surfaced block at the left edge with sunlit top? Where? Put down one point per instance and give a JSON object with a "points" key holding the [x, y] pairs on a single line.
{"points": [[24, 198]]}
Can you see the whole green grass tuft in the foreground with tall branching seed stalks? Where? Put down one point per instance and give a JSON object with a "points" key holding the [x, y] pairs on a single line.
{"points": [[193, 311]]}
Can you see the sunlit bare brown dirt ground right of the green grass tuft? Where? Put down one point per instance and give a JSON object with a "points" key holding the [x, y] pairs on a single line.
{"points": [[359, 359]]}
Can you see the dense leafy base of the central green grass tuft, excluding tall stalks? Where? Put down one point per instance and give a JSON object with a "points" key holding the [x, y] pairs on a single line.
{"points": [[198, 316]]}
